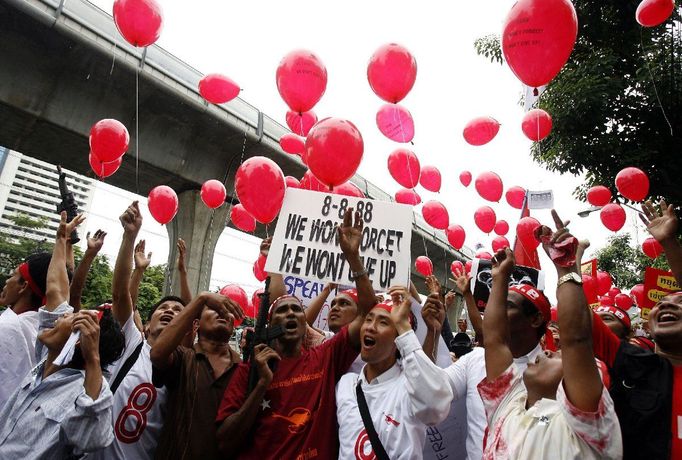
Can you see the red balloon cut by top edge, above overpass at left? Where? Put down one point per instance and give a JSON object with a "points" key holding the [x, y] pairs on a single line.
{"points": [[138, 21]]}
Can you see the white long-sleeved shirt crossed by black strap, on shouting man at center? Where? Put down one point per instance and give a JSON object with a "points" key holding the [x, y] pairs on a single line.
{"points": [[402, 402]]}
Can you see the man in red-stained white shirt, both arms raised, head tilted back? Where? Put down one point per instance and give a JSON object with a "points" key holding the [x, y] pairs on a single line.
{"points": [[558, 407]]}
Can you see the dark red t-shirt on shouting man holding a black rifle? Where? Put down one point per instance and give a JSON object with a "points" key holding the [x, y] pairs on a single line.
{"points": [[297, 419]]}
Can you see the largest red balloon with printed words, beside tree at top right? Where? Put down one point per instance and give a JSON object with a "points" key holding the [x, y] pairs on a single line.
{"points": [[538, 39]]}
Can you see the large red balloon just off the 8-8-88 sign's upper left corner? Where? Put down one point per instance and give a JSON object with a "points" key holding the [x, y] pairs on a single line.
{"points": [[259, 184]]}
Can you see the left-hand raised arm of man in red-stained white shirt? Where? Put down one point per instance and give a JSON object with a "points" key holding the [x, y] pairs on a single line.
{"points": [[498, 356]]}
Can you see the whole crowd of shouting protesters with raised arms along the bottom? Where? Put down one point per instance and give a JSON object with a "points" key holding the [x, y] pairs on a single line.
{"points": [[103, 383]]}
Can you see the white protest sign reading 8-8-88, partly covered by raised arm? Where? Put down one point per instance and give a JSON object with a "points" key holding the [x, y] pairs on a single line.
{"points": [[305, 243]]}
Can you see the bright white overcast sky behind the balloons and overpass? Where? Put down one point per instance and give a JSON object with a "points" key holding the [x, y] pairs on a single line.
{"points": [[246, 40]]}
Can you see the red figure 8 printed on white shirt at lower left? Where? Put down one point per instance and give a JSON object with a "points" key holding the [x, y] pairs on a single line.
{"points": [[132, 420]]}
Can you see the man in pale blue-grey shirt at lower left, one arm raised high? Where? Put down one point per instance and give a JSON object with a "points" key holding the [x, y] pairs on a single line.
{"points": [[63, 410]]}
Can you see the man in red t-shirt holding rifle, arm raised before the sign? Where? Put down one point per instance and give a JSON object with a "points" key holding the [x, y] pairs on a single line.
{"points": [[291, 413]]}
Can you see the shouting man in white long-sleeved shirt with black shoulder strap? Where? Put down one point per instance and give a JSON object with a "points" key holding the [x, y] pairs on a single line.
{"points": [[403, 398]]}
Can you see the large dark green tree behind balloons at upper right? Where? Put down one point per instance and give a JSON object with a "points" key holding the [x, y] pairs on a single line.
{"points": [[609, 100]]}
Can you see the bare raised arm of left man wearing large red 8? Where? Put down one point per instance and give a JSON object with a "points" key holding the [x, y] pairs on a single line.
{"points": [[122, 306]]}
